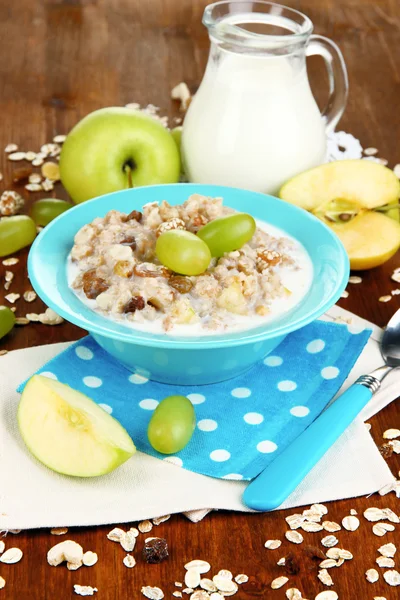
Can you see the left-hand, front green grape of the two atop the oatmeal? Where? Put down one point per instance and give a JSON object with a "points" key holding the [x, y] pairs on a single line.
{"points": [[183, 252]]}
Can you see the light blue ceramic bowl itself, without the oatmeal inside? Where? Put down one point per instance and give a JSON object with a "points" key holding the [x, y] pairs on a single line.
{"points": [[194, 360]]}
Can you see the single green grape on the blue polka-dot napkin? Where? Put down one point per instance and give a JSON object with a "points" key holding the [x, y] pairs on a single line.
{"points": [[172, 425]]}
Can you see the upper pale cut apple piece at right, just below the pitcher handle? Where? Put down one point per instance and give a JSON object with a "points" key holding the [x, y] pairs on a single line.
{"points": [[361, 182]]}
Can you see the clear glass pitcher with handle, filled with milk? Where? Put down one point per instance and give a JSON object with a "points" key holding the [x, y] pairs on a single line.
{"points": [[253, 122]]}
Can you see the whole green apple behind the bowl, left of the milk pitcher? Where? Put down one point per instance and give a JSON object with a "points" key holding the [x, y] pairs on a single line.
{"points": [[115, 148]]}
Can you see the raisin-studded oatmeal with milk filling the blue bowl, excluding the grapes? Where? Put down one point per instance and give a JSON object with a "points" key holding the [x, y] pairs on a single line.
{"points": [[113, 269]]}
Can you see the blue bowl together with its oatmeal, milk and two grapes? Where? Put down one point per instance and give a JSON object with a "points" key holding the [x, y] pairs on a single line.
{"points": [[188, 283]]}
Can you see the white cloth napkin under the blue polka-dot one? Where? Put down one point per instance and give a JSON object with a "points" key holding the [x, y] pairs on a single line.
{"points": [[31, 496]]}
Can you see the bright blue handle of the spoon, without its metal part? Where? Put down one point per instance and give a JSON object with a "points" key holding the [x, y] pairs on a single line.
{"points": [[284, 474]]}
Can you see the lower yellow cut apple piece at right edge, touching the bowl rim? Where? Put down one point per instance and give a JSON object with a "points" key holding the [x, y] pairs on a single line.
{"points": [[370, 239]]}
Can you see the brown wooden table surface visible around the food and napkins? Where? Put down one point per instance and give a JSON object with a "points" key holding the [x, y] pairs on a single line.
{"points": [[61, 59]]}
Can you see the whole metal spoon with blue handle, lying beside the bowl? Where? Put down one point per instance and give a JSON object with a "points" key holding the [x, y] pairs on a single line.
{"points": [[284, 474]]}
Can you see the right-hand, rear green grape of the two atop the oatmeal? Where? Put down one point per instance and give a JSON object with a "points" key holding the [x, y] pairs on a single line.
{"points": [[228, 233]]}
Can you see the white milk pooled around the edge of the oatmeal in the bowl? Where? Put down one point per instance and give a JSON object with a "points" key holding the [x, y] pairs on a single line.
{"points": [[297, 281]]}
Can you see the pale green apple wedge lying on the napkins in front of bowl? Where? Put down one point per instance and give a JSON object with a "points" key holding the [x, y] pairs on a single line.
{"points": [[68, 432]]}
